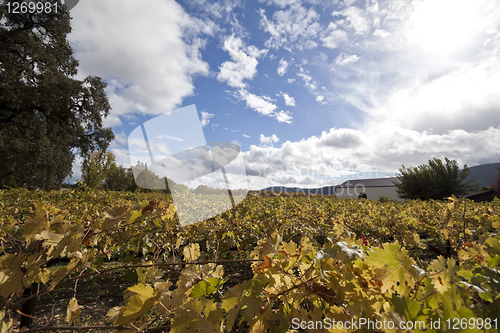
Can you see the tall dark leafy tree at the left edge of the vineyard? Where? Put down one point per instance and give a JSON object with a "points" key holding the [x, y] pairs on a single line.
{"points": [[46, 115]]}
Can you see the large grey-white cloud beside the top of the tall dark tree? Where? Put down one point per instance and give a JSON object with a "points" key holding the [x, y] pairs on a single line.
{"points": [[140, 78]]}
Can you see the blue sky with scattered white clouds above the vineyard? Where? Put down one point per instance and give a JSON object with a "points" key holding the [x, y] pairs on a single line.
{"points": [[314, 92]]}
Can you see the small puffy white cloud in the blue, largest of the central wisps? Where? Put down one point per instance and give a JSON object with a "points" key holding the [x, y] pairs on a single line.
{"points": [[243, 65]]}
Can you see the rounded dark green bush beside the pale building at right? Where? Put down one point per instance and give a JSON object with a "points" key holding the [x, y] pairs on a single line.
{"points": [[435, 180]]}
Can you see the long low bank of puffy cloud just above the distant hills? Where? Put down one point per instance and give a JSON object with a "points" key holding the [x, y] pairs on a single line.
{"points": [[340, 154]]}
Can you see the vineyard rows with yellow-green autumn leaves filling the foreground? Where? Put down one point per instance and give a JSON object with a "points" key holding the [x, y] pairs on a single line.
{"points": [[97, 261]]}
